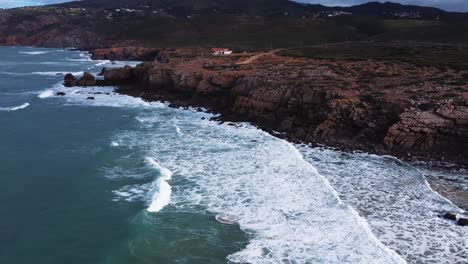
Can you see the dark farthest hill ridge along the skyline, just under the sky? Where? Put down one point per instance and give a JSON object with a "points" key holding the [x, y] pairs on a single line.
{"points": [[266, 7]]}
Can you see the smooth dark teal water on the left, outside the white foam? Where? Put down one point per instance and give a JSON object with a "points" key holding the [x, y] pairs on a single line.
{"points": [[58, 205]]}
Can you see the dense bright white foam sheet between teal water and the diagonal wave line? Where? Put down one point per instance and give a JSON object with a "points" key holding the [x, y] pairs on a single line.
{"points": [[260, 182]]}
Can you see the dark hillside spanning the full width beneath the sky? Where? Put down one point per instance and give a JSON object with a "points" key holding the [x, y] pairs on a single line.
{"points": [[243, 25]]}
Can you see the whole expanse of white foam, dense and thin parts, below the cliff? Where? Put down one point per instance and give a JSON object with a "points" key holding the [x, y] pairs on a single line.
{"points": [[292, 213]]}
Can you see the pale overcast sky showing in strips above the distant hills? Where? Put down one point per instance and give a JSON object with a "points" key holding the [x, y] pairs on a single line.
{"points": [[452, 5]]}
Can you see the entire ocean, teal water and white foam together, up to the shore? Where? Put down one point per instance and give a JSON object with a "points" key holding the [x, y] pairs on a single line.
{"points": [[115, 179]]}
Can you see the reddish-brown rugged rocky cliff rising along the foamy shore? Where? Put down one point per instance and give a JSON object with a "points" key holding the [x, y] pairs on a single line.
{"points": [[381, 107]]}
